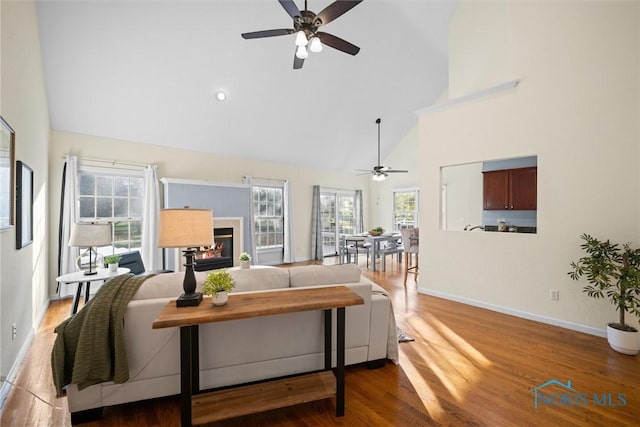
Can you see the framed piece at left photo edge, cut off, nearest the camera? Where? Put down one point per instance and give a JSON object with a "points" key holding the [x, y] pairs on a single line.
{"points": [[7, 173]]}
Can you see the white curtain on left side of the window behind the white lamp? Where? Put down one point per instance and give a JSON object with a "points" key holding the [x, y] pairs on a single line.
{"points": [[68, 216]]}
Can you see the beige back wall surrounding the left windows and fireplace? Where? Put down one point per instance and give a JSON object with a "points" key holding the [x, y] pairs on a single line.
{"points": [[185, 164]]}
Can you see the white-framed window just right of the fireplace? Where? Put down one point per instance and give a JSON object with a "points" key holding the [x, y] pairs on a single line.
{"points": [[269, 218]]}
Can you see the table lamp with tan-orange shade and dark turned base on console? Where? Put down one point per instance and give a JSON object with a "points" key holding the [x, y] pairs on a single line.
{"points": [[189, 229]]}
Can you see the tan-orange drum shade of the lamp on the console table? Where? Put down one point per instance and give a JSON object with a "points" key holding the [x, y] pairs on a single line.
{"points": [[185, 228]]}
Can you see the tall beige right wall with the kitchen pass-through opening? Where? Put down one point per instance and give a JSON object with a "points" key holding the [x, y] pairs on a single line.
{"points": [[577, 109]]}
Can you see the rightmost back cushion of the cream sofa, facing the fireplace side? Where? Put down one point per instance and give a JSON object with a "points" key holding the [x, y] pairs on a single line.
{"points": [[313, 275]]}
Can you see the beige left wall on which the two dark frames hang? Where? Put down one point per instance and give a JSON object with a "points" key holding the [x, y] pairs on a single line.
{"points": [[23, 273]]}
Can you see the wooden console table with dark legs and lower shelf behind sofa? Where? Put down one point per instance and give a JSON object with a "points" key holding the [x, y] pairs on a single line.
{"points": [[199, 407]]}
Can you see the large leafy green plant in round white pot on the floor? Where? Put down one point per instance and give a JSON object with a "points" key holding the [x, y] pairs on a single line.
{"points": [[613, 272]]}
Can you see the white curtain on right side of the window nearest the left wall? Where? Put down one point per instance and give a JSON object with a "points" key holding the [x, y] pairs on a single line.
{"points": [[151, 254]]}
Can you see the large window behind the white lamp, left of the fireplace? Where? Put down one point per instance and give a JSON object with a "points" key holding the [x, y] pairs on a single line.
{"points": [[116, 197]]}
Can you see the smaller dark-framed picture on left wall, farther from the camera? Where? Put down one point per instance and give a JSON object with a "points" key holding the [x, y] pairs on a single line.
{"points": [[24, 205]]}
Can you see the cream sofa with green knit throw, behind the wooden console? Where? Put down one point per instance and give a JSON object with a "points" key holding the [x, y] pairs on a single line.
{"points": [[242, 351]]}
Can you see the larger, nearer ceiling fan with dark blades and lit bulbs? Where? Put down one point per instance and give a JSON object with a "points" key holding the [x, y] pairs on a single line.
{"points": [[306, 24]]}
